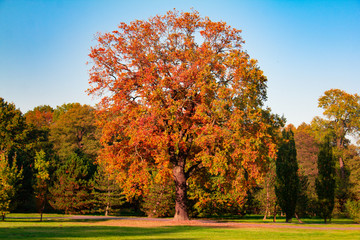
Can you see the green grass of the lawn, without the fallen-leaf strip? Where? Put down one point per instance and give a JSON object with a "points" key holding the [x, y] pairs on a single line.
{"points": [[98, 229]]}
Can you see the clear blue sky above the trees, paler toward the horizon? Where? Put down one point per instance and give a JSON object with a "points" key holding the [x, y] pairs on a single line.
{"points": [[303, 47]]}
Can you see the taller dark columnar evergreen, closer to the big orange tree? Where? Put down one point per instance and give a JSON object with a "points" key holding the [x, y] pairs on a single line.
{"points": [[287, 179]]}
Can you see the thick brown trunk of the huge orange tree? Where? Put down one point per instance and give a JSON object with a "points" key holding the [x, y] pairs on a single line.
{"points": [[181, 212]]}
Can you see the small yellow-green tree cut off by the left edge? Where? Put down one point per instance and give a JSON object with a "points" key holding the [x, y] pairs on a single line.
{"points": [[9, 177]]}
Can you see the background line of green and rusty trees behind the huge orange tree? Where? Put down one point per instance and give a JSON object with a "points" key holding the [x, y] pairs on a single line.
{"points": [[49, 163]]}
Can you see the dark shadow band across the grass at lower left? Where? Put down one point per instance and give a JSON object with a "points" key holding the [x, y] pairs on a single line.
{"points": [[93, 232]]}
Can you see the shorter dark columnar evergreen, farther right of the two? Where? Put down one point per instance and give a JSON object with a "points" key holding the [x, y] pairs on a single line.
{"points": [[325, 182]]}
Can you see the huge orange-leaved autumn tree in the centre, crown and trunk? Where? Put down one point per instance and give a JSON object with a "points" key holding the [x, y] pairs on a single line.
{"points": [[179, 95]]}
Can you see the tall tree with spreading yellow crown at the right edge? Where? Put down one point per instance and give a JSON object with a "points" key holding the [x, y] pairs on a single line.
{"points": [[343, 113]]}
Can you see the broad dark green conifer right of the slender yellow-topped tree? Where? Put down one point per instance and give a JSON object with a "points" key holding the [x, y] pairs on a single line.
{"points": [[72, 188]]}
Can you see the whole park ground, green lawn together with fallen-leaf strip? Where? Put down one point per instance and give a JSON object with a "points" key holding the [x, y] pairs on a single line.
{"points": [[59, 227]]}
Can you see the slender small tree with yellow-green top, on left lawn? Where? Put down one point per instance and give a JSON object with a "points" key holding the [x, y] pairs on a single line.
{"points": [[41, 181]]}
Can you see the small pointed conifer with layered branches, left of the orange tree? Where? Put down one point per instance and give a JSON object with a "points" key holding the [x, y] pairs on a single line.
{"points": [[108, 197]]}
